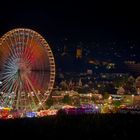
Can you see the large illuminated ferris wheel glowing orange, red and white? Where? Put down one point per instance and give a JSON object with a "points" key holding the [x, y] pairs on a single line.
{"points": [[27, 70]]}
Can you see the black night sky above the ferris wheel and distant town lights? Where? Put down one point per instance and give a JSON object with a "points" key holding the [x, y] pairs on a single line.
{"points": [[94, 20]]}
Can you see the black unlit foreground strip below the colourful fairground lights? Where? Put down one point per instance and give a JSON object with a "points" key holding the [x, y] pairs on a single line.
{"points": [[87, 127]]}
